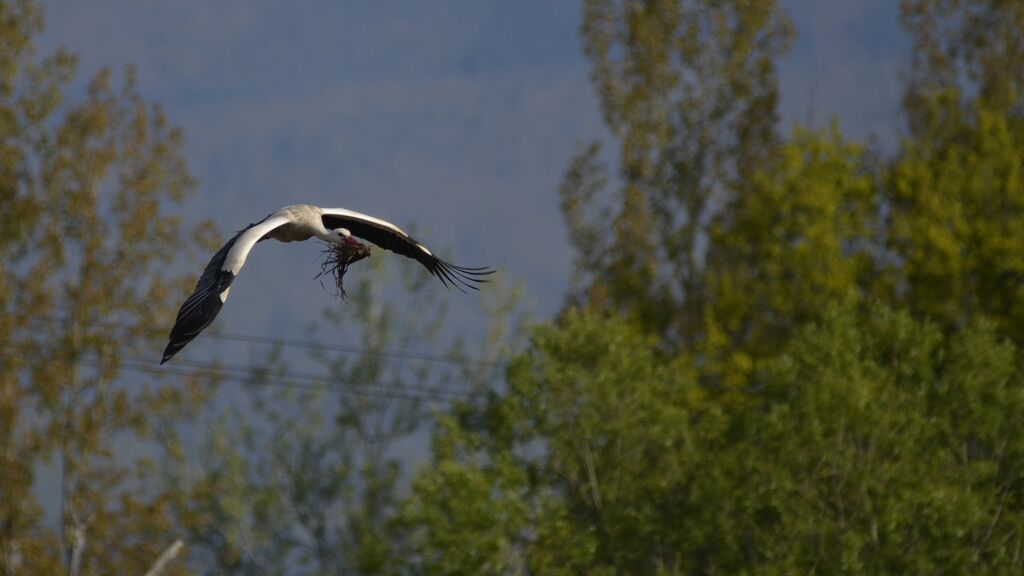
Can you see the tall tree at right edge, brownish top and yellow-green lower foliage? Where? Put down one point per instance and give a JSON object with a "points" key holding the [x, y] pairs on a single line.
{"points": [[955, 191]]}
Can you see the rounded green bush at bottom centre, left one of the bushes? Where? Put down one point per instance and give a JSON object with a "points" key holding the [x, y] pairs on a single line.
{"points": [[546, 481]]}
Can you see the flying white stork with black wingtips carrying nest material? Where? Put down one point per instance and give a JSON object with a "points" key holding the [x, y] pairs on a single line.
{"points": [[337, 227]]}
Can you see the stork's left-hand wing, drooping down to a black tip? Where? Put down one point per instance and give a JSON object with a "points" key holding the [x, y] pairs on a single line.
{"points": [[211, 292]]}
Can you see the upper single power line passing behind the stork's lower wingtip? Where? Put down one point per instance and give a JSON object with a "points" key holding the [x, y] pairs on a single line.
{"points": [[285, 343]]}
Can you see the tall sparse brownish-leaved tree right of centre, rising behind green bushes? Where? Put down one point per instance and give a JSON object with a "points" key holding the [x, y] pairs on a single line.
{"points": [[690, 92]]}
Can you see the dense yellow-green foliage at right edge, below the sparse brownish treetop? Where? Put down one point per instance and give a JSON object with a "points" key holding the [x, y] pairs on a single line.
{"points": [[958, 225]]}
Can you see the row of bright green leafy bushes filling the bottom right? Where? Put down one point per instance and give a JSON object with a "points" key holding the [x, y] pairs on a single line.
{"points": [[879, 447]]}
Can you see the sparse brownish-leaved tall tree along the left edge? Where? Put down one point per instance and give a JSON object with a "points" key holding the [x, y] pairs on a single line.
{"points": [[89, 235]]}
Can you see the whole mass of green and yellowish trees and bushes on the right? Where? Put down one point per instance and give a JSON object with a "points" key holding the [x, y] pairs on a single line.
{"points": [[782, 357]]}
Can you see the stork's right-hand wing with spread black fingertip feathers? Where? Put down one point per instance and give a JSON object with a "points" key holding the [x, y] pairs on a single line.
{"points": [[393, 238]]}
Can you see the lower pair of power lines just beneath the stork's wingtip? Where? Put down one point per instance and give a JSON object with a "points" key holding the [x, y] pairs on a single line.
{"points": [[239, 375]]}
